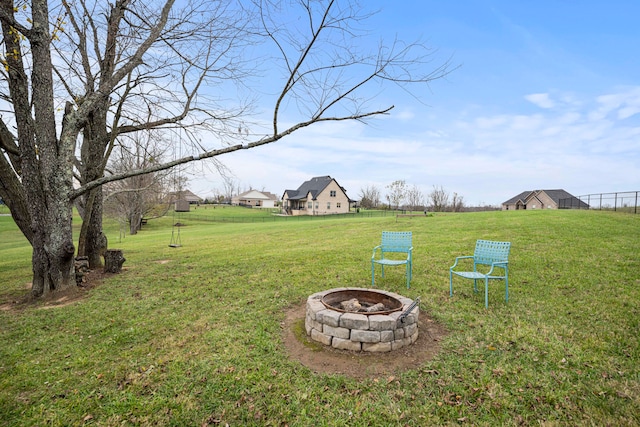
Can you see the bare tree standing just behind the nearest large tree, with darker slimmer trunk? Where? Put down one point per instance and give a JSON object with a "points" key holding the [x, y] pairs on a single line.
{"points": [[159, 92]]}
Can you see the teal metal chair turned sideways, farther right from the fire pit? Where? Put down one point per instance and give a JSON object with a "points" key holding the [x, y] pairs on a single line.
{"points": [[489, 254]]}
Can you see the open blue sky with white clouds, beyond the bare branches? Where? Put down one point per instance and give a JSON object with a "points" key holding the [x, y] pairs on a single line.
{"points": [[546, 96]]}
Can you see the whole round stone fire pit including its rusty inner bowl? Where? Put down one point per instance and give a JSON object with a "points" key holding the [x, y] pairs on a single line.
{"points": [[360, 319]]}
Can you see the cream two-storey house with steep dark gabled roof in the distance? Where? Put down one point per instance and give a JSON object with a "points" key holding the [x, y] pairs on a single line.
{"points": [[321, 195]]}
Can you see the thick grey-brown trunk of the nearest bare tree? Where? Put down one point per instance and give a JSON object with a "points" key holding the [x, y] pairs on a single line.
{"points": [[47, 175]]}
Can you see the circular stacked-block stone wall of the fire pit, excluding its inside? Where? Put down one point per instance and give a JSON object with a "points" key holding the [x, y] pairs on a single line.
{"points": [[361, 332]]}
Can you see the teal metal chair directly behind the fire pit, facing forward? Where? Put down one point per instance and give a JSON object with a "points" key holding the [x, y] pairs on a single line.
{"points": [[393, 242]]}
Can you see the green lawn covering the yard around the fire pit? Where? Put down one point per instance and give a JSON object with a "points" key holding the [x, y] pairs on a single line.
{"points": [[192, 335]]}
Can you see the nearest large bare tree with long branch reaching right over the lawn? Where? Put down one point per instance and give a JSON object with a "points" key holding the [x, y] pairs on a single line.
{"points": [[323, 68]]}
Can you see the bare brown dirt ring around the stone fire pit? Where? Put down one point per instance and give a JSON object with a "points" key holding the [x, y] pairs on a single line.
{"points": [[327, 360]]}
